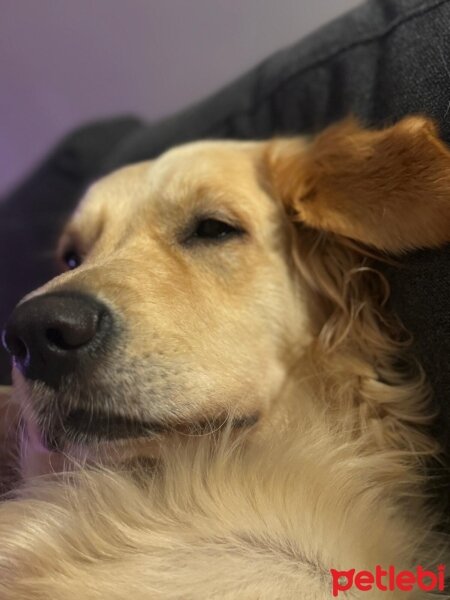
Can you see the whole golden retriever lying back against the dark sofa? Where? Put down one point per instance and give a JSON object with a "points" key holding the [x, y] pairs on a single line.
{"points": [[211, 400]]}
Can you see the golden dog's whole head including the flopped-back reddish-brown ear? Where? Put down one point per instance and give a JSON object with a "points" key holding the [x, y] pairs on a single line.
{"points": [[180, 302]]}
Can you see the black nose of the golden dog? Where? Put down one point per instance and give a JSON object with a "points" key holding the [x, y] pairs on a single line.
{"points": [[57, 334]]}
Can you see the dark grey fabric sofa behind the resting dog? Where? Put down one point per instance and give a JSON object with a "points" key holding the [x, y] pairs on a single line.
{"points": [[382, 61]]}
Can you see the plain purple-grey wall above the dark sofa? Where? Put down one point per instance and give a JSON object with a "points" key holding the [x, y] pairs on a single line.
{"points": [[64, 62]]}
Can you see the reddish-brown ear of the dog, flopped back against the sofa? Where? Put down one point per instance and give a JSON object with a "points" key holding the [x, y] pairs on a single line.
{"points": [[389, 188]]}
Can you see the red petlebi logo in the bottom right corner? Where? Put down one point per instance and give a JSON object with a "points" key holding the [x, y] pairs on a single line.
{"points": [[388, 579]]}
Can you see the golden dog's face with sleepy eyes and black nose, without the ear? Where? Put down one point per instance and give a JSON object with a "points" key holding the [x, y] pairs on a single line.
{"points": [[180, 306]]}
